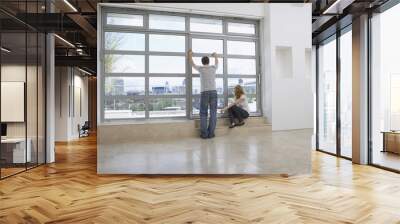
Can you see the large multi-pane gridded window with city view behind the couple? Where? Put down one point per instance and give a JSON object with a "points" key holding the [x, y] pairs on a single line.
{"points": [[146, 73]]}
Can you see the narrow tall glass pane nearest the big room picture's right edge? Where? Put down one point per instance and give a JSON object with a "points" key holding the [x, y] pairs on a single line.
{"points": [[327, 97]]}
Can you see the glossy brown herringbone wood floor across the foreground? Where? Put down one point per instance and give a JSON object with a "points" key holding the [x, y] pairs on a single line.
{"points": [[69, 191]]}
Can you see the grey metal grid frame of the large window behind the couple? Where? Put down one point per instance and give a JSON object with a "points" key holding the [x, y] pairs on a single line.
{"points": [[189, 96]]}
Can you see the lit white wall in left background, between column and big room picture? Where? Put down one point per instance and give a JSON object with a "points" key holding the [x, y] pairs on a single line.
{"points": [[71, 102]]}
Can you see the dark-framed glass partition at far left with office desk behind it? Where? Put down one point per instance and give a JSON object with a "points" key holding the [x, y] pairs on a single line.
{"points": [[22, 77]]}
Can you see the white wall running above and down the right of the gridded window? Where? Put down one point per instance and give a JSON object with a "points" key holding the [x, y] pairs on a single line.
{"points": [[287, 103]]}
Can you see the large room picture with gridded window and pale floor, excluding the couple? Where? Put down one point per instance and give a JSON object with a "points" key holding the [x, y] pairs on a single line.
{"points": [[140, 101]]}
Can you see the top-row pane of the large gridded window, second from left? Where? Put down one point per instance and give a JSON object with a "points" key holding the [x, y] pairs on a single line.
{"points": [[163, 22]]}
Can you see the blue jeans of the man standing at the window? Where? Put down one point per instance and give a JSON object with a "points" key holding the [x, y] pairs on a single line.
{"points": [[208, 98]]}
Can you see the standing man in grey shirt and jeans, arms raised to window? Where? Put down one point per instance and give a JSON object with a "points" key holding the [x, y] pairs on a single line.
{"points": [[209, 95]]}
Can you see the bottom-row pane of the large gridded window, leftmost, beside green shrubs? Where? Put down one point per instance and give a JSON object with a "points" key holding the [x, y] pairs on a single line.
{"points": [[123, 107]]}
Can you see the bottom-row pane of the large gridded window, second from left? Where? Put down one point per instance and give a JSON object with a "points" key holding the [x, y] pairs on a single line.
{"points": [[167, 107]]}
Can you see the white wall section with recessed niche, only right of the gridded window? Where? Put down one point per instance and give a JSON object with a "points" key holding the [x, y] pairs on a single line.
{"points": [[289, 26]]}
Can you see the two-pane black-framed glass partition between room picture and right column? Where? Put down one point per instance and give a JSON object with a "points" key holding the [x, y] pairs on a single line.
{"points": [[334, 85]]}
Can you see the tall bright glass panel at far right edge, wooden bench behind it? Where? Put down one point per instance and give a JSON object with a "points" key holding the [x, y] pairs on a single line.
{"points": [[385, 89]]}
